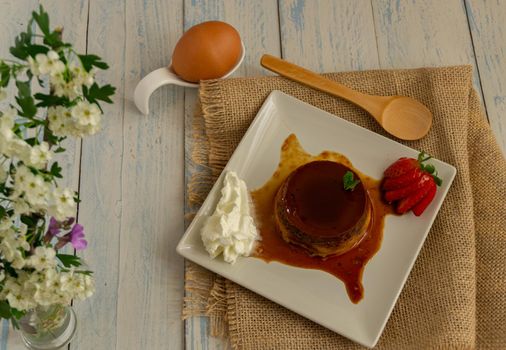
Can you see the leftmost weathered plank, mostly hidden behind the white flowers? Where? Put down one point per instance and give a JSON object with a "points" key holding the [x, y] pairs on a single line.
{"points": [[72, 15]]}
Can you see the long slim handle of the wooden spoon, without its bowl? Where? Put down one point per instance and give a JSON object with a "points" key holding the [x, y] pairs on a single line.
{"points": [[372, 104]]}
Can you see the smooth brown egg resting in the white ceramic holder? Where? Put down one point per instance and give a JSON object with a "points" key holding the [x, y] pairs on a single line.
{"points": [[207, 50]]}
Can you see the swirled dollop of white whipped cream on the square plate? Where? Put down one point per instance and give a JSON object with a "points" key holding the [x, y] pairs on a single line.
{"points": [[230, 229]]}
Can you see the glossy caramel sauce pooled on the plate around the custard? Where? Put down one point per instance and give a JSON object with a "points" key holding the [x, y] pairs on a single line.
{"points": [[349, 266]]}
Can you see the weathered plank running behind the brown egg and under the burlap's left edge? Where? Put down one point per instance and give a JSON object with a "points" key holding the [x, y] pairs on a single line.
{"points": [[257, 23]]}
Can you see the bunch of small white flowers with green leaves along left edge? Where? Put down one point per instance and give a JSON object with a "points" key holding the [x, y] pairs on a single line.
{"points": [[37, 216]]}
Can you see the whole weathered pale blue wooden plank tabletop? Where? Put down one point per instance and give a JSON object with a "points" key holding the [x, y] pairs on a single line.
{"points": [[132, 176]]}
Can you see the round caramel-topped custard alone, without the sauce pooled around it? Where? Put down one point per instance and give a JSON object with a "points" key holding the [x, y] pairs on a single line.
{"points": [[313, 210]]}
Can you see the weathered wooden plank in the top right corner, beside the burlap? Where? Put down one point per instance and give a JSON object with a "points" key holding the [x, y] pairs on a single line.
{"points": [[486, 19]]}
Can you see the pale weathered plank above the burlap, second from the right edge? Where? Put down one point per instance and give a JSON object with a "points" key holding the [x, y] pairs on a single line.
{"points": [[414, 34]]}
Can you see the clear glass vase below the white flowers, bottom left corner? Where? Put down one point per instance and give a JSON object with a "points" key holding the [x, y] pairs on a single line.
{"points": [[48, 327]]}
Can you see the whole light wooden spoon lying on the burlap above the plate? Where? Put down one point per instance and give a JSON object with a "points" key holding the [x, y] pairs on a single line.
{"points": [[403, 117]]}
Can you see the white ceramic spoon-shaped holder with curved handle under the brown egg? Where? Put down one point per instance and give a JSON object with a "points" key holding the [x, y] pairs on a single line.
{"points": [[163, 76]]}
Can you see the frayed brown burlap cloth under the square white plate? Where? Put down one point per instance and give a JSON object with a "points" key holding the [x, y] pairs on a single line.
{"points": [[455, 297]]}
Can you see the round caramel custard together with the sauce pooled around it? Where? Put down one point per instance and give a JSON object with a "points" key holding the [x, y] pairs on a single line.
{"points": [[307, 219]]}
